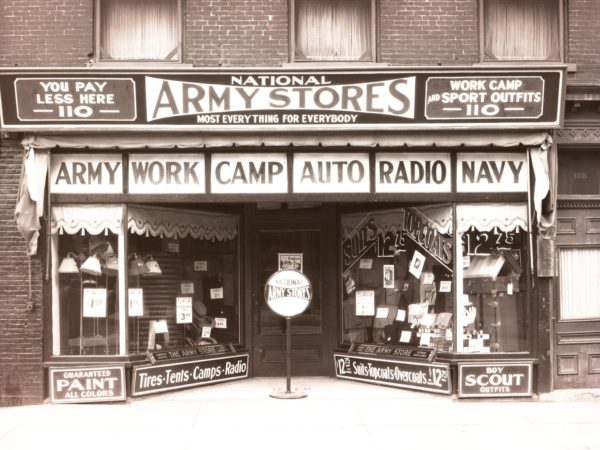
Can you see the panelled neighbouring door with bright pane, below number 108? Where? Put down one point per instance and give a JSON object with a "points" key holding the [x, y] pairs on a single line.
{"points": [[577, 310]]}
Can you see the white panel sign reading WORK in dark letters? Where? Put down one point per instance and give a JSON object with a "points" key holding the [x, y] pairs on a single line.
{"points": [[166, 173]]}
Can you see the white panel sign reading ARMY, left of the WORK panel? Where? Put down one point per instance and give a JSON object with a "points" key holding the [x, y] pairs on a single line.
{"points": [[86, 173]]}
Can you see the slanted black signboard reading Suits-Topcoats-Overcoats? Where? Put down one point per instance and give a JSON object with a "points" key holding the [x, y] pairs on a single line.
{"points": [[420, 376]]}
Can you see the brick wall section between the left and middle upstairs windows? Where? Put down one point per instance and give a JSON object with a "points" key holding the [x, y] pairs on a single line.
{"points": [[236, 32]]}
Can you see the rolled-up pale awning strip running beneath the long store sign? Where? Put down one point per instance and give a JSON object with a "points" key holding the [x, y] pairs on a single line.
{"points": [[130, 141]]}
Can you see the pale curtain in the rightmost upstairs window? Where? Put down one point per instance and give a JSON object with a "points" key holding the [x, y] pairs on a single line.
{"points": [[522, 29]]}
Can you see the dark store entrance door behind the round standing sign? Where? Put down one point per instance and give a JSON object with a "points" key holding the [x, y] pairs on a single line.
{"points": [[304, 240]]}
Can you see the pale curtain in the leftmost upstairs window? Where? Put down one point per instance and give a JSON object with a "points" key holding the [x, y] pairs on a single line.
{"points": [[139, 30]]}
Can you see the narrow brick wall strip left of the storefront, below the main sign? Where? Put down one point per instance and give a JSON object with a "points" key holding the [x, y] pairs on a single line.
{"points": [[21, 373]]}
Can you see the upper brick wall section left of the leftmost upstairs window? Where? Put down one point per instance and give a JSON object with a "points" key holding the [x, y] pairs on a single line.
{"points": [[45, 33]]}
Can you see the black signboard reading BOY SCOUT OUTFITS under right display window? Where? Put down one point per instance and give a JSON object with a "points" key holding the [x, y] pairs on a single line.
{"points": [[495, 379]]}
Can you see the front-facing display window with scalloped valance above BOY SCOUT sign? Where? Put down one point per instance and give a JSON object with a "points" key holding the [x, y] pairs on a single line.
{"points": [[493, 311]]}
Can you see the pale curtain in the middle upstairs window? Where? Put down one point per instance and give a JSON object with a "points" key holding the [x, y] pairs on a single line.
{"points": [[332, 30]]}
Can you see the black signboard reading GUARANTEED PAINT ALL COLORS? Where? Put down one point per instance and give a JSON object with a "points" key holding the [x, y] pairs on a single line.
{"points": [[87, 384]]}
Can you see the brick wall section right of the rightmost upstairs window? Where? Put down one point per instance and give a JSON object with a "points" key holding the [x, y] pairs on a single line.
{"points": [[584, 39]]}
